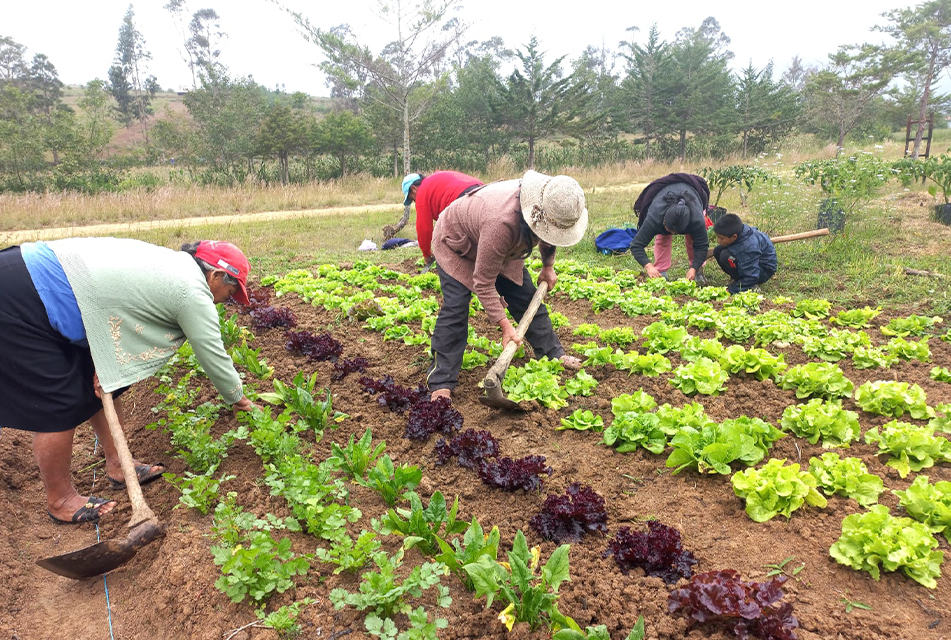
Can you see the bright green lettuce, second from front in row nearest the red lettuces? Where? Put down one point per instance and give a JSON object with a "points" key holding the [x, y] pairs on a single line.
{"points": [[775, 489]]}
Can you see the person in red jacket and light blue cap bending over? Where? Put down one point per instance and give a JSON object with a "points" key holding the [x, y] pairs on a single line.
{"points": [[432, 194]]}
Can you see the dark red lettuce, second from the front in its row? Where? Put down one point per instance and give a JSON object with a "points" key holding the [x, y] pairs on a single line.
{"points": [[658, 551]]}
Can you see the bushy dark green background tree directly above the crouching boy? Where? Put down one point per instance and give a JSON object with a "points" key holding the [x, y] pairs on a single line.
{"points": [[766, 109]]}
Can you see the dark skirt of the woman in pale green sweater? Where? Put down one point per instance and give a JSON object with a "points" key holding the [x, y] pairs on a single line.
{"points": [[45, 380]]}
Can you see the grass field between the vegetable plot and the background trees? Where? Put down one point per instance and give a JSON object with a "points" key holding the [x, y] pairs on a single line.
{"points": [[863, 265]]}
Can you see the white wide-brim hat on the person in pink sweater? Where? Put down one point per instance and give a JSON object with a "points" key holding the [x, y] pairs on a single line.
{"points": [[554, 208]]}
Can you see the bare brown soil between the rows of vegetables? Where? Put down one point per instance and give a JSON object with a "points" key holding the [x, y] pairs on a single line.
{"points": [[168, 590]]}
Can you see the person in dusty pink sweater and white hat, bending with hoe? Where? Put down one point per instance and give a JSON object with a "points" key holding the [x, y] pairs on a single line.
{"points": [[480, 243]]}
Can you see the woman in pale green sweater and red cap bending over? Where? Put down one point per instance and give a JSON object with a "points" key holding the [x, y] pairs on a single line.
{"points": [[85, 315]]}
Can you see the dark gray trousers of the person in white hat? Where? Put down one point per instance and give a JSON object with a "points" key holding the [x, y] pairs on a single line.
{"points": [[452, 327]]}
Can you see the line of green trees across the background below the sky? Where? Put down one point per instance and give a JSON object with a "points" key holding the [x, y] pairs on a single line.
{"points": [[433, 99]]}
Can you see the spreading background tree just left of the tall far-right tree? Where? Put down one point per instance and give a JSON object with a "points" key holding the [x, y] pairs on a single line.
{"points": [[838, 96]]}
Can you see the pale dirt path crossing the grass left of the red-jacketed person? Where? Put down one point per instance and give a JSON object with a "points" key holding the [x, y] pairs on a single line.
{"points": [[27, 235]]}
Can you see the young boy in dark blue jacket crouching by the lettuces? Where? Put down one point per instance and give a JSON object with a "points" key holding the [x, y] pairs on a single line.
{"points": [[745, 253]]}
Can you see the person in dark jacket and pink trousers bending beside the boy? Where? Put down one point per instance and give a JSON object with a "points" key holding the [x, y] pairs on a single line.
{"points": [[674, 204]]}
